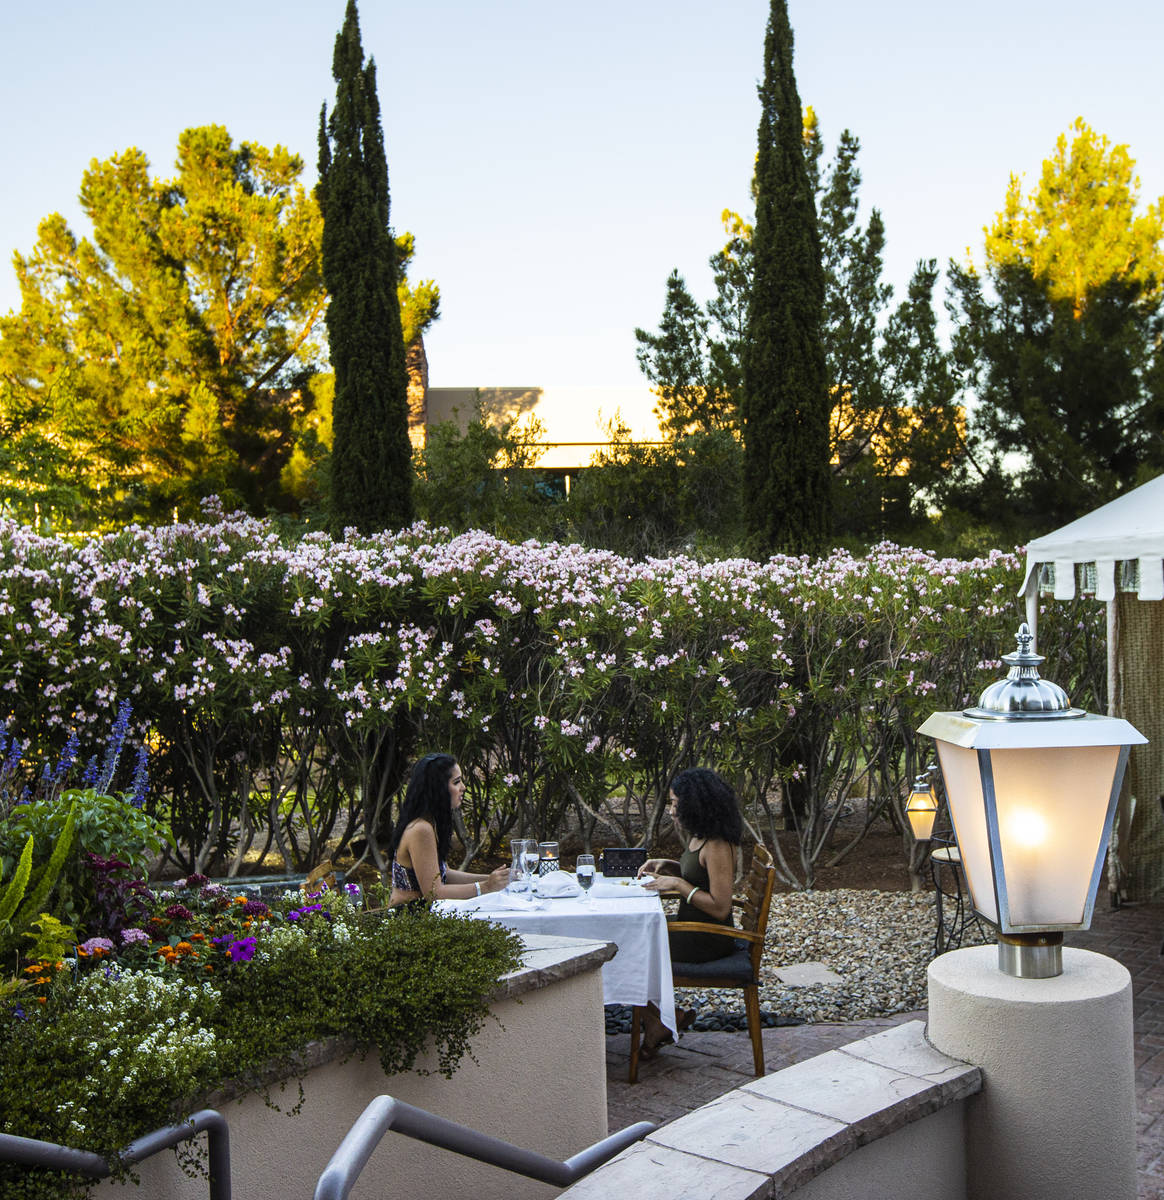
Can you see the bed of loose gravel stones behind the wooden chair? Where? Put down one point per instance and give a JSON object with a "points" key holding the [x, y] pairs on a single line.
{"points": [[879, 943]]}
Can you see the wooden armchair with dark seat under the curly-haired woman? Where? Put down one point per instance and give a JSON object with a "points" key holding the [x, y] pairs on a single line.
{"points": [[740, 969]]}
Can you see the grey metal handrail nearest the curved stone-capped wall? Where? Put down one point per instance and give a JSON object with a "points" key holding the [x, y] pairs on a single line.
{"points": [[387, 1113]]}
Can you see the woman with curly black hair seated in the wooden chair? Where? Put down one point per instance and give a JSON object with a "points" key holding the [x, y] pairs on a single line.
{"points": [[706, 812]]}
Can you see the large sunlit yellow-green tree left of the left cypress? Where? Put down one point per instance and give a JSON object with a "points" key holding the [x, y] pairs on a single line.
{"points": [[164, 359]]}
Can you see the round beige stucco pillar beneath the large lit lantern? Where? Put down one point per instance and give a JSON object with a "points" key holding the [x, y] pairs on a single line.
{"points": [[1057, 1115]]}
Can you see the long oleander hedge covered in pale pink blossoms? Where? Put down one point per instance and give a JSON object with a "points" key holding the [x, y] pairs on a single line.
{"points": [[286, 685]]}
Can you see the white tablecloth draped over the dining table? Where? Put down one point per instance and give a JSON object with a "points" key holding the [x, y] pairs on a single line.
{"points": [[639, 973]]}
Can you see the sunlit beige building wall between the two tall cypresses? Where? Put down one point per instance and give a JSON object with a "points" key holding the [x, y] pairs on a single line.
{"points": [[574, 419]]}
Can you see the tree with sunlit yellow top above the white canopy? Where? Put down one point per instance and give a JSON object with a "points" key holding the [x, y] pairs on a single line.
{"points": [[1060, 338]]}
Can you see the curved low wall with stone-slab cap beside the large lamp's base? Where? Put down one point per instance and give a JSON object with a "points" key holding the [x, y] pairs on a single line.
{"points": [[881, 1119]]}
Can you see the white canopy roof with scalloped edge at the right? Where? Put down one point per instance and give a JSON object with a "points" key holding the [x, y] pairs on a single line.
{"points": [[1131, 527]]}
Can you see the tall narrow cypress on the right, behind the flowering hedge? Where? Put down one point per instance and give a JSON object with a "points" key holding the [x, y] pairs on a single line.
{"points": [[785, 403]]}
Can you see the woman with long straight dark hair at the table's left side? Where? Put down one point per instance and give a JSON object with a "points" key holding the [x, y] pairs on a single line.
{"points": [[424, 835]]}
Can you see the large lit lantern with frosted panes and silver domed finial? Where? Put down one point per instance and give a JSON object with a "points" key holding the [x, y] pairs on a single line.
{"points": [[1033, 787]]}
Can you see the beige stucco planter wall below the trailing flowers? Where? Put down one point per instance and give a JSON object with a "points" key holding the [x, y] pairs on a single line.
{"points": [[538, 1081]]}
